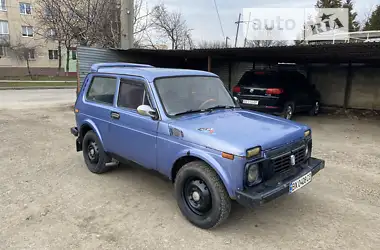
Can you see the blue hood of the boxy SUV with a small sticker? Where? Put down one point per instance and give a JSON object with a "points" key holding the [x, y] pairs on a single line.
{"points": [[235, 131]]}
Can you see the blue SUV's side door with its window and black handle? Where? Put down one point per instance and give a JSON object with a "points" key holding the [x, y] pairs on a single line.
{"points": [[134, 136]]}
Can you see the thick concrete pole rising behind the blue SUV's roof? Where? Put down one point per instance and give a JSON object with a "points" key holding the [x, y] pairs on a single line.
{"points": [[126, 24]]}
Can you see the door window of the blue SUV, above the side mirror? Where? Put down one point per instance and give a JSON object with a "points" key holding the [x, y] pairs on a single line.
{"points": [[131, 94]]}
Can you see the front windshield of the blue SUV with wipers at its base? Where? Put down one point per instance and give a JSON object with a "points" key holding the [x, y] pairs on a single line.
{"points": [[192, 94]]}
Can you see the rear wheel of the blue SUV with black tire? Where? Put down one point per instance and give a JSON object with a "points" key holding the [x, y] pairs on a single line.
{"points": [[93, 153]]}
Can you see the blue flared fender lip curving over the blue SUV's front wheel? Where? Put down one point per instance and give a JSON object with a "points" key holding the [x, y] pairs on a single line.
{"points": [[206, 157]]}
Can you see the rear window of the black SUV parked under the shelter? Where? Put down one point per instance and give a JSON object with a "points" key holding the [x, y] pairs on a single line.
{"points": [[260, 80]]}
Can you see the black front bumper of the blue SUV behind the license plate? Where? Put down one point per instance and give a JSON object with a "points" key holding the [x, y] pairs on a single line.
{"points": [[275, 188]]}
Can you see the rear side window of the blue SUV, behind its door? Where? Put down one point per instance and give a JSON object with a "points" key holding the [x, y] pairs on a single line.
{"points": [[102, 90]]}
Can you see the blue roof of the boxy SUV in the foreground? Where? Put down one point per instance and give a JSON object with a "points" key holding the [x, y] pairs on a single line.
{"points": [[151, 73]]}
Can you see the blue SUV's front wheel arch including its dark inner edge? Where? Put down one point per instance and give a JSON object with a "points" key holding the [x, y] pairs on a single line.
{"points": [[190, 155]]}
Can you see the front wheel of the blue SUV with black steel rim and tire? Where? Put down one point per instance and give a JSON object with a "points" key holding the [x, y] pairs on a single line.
{"points": [[199, 173]]}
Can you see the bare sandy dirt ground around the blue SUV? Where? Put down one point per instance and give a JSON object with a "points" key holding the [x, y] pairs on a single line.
{"points": [[49, 200]]}
